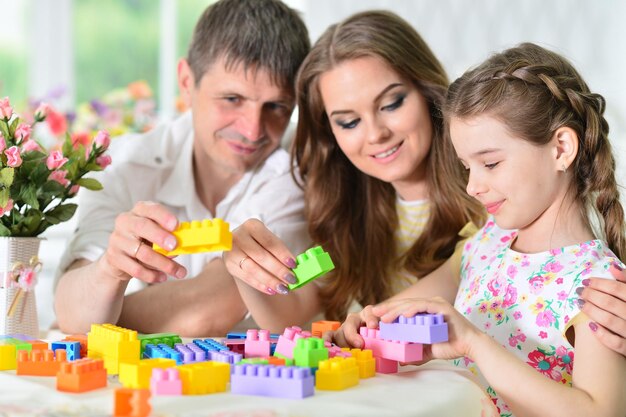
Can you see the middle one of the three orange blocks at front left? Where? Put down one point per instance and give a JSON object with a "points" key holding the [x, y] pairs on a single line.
{"points": [[82, 375]]}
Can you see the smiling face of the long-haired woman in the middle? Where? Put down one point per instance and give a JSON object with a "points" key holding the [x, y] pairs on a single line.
{"points": [[381, 122]]}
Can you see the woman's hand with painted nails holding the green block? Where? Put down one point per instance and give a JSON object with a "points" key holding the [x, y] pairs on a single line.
{"points": [[260, 259]]}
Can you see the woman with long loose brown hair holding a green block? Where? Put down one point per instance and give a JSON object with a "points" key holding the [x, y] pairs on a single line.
{"points": [[385, 196]]}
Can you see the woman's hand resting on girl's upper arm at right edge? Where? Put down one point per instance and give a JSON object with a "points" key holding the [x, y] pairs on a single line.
{"points": [[605, 304]]}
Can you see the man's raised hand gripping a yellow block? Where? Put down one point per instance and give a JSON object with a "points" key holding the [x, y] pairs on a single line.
{"points": [[130, 252]]}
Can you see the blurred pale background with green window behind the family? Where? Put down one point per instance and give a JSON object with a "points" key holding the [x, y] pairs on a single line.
{"points": [[112, 64]]}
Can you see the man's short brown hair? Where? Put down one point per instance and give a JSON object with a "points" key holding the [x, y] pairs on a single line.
{"points": [[259, 34]]}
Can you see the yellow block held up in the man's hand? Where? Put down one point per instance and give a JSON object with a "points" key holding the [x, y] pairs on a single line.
{"points": [[194, 237]]}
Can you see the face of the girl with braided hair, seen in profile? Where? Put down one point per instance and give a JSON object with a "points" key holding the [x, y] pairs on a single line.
{"points": [[520, 183]]}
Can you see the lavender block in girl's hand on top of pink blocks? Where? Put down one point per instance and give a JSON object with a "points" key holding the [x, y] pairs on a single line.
{"points": [[421, 328]]}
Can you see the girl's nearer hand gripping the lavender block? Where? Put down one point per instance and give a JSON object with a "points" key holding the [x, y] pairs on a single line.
{"points": [[461, 332]]}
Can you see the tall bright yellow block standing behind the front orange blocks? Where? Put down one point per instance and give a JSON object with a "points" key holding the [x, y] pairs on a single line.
{"points": [[114, 345]]}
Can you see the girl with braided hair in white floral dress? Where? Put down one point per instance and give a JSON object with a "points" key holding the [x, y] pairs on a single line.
{"points": [[534, 141]]}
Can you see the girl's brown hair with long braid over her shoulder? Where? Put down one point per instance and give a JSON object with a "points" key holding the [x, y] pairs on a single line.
{"points": [[534, 92]]}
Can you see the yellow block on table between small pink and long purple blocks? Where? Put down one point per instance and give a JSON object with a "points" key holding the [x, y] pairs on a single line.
{"points": [[204, 377]]}
